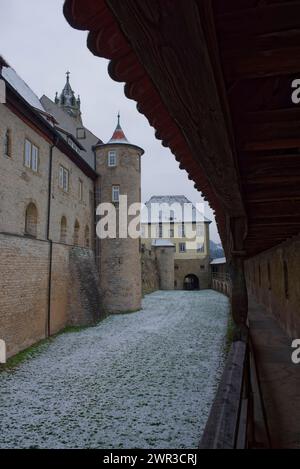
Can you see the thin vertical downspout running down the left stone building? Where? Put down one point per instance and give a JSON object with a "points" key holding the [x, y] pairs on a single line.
{"points": [[48, 324]]}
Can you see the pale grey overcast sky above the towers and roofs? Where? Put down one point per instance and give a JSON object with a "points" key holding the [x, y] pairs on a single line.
{"points": [[40, 45]]}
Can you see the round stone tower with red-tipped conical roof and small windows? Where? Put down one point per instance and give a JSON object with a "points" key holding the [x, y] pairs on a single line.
{"points": [[118, 164]]}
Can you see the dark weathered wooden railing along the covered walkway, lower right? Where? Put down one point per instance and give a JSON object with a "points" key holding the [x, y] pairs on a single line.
{"points": [[231, 423]]}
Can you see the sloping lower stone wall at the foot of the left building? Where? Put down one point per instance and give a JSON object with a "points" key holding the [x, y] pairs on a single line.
{"points": [[24, 294]]}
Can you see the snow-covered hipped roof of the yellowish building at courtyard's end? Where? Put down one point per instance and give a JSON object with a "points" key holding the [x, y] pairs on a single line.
{"points": [[171, 208]]}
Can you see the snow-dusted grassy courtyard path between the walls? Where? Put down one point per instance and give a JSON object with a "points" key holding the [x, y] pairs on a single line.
{"points": [[144, 380]]}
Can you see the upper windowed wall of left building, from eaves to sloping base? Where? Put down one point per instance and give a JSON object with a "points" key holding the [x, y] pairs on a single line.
{"points": [[21, 186]]}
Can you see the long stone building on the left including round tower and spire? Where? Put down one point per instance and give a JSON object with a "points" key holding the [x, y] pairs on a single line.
{"points": [[54, 271]]}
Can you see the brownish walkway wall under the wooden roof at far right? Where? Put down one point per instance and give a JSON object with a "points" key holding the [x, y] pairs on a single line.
{"points": [[273, 279]]}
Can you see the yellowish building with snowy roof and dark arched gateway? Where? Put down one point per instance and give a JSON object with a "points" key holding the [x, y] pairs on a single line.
{"points": [[173, 221]]}
